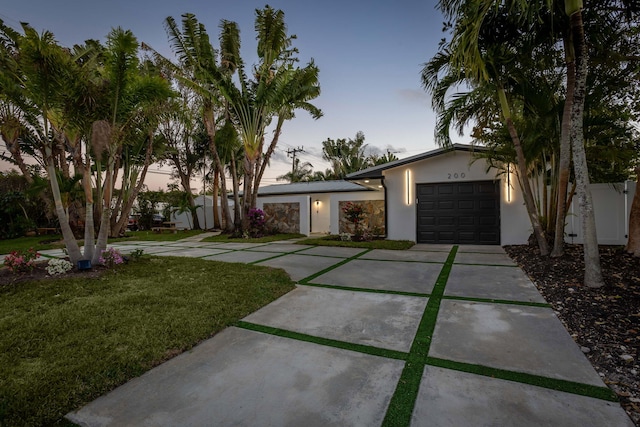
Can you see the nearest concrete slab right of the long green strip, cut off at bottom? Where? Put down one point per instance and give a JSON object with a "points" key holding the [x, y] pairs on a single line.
{"points": [[450, 399]]}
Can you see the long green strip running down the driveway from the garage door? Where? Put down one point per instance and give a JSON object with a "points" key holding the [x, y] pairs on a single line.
{"points": [[404, 398]]}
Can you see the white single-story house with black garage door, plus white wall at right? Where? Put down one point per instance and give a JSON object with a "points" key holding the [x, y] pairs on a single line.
{"points": [[440, 196]]}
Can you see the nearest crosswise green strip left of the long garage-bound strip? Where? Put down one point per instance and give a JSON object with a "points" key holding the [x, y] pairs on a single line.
{"points": [[360, 348]]}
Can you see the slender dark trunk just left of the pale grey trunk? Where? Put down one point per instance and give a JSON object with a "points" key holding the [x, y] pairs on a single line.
{"points": [[565, 150]]}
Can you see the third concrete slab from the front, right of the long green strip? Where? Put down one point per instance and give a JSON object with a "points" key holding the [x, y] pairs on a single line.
{"points": [[485, 281]]}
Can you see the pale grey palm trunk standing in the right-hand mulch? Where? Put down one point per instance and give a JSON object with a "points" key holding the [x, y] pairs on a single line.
{"points": [[592, 270]]}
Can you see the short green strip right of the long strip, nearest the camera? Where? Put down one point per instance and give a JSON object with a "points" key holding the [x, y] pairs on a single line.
{"points": [[603, 393]]}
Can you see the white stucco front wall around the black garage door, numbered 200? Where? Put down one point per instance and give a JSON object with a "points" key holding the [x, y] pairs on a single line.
{"points": [[449, 167]]}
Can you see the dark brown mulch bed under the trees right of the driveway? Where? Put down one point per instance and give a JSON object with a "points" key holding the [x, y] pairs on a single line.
{"points": [[605, 322]]}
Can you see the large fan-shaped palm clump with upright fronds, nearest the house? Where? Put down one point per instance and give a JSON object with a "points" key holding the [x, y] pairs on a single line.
{"points": [[278, 87]]}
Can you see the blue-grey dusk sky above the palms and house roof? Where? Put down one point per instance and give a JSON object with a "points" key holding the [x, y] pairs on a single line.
{"points": [[370, 54]]}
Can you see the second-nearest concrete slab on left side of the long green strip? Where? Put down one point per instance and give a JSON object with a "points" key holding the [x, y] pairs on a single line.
{"points": [[385, 321]]}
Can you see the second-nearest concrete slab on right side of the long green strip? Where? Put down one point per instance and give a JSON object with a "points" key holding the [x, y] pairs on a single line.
{"points": [[512, 337]]}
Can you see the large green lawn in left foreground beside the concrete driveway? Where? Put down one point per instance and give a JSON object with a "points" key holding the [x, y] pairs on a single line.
{"points": [[63, 343]]}
